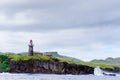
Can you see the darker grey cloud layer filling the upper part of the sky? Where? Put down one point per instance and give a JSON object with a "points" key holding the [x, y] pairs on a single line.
{"points": [[51, 15]]}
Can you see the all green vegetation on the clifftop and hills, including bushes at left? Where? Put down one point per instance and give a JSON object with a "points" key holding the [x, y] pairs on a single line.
{"points": [[6, 57]]}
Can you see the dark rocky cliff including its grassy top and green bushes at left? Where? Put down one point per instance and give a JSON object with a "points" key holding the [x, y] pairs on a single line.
{"points": [[17, 63]]}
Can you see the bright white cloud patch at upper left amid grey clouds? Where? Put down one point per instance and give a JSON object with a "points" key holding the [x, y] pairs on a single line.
{"points": [[19, 19]]}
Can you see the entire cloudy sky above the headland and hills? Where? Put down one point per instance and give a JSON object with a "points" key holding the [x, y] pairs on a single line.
{"points": [[84, 29]]}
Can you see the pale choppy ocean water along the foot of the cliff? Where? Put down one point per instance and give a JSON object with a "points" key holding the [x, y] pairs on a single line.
{"points": [[9, 76]]}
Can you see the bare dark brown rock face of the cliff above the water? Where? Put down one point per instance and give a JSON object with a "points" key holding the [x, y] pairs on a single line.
{"points": [[48, 67]]}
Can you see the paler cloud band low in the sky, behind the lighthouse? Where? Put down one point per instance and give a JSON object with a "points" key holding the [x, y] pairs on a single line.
{"points": [[85, 44]]}
